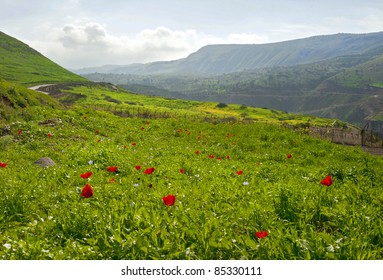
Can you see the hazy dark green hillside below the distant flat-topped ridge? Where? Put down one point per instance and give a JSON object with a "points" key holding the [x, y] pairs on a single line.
{"points": [[346, 87]]}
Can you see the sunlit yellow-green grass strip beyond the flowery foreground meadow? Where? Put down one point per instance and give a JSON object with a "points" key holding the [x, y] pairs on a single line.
{"points": [[122, 101]]}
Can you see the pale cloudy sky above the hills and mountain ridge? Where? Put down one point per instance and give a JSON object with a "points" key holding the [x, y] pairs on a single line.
{"points": [[90, 33]]}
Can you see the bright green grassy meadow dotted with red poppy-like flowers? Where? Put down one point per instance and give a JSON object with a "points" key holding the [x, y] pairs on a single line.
{"points": [[179, 187]]}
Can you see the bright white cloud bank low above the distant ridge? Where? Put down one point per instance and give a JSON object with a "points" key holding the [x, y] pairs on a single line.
{"points": [[78, 45]]}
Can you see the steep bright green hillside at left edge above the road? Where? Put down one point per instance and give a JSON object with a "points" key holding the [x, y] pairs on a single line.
{"points": [[23, 65]]}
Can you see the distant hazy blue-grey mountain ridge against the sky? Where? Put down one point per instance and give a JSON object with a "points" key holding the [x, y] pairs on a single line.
{"points": [[222, 59]]}
